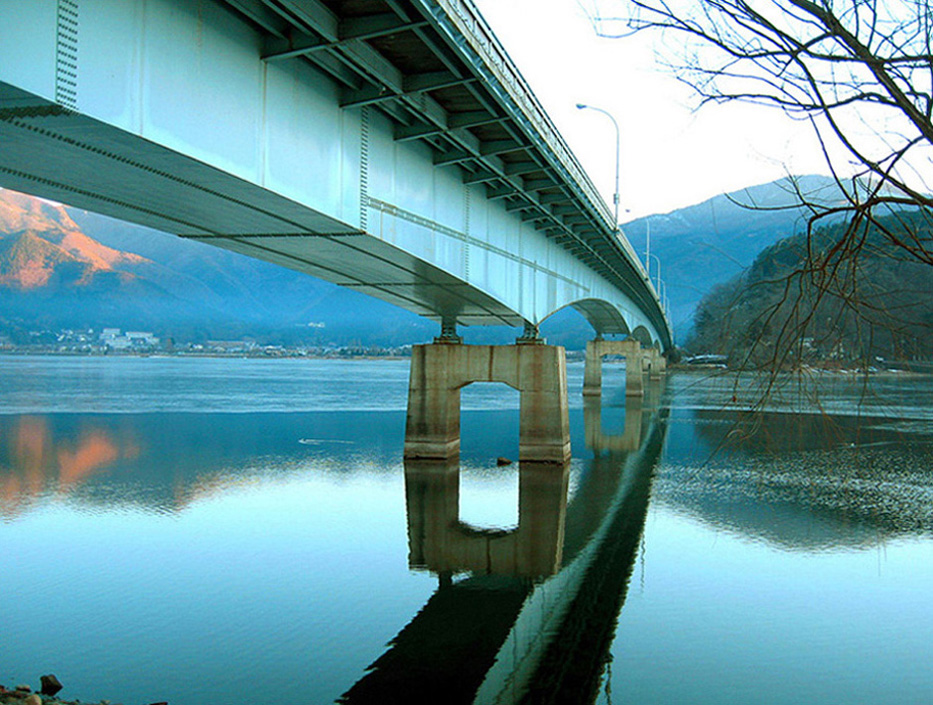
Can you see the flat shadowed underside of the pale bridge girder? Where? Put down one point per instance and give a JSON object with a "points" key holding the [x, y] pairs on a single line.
{"points": [[53, 153]]}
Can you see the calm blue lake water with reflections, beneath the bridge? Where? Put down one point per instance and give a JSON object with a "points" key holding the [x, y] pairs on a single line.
{"points": [[226, 531]]}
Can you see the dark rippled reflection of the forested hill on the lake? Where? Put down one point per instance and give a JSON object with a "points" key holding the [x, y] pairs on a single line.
{"points": [[804, 482]]}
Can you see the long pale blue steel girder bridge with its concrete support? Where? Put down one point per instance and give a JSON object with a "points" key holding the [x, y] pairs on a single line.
{"points": [[389, 146]]}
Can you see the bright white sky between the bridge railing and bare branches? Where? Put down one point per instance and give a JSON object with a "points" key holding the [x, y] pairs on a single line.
{"points": [[671, 155]]}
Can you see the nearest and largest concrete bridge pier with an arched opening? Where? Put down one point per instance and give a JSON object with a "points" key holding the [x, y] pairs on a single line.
{"points": [[440, 370]]}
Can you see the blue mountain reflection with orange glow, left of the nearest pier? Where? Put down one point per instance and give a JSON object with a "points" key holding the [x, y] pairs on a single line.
{"points": [[163, 462]]}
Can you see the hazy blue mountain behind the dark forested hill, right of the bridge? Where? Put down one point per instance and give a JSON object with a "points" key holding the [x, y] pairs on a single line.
{"points": [[709, 243]]}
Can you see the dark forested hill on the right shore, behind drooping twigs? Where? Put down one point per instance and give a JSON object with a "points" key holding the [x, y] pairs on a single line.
{"points": [[813, 300]]}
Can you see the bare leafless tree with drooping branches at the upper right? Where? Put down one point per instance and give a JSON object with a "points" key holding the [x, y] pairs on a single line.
{"points": [[861, 73]]}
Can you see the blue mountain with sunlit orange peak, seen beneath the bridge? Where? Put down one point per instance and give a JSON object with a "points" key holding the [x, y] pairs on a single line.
{"points": [[67, 268]]}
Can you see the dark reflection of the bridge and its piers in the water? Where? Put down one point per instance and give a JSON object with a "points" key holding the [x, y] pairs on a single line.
{"points": [[504, 635]]}
